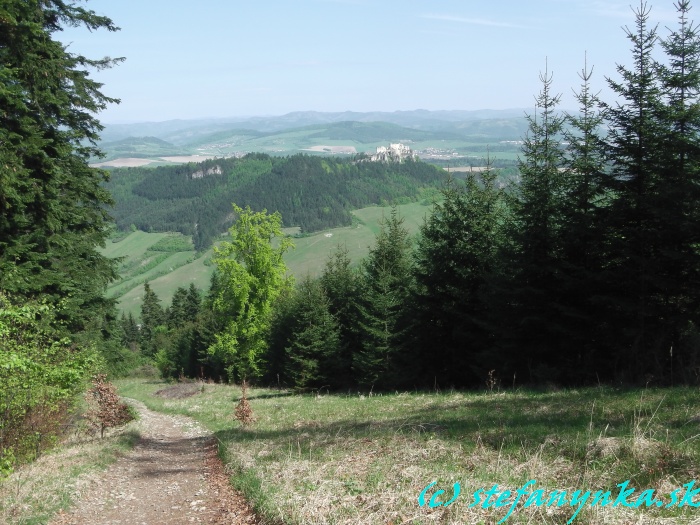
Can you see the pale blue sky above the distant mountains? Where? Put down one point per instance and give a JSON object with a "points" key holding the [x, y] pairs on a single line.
{"points": [[239, 58]]}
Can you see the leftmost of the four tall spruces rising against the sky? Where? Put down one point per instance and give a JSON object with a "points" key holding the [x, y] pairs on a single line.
{"points": [[537, 332]]}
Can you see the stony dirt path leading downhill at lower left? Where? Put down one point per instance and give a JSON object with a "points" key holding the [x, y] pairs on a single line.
{"points": [[173, 476]]}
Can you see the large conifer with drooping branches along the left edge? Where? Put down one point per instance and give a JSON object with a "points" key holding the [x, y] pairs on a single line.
{"points": [[52, 204]]}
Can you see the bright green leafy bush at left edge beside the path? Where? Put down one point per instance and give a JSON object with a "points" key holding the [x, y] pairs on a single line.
{"points": [[40, 372]]}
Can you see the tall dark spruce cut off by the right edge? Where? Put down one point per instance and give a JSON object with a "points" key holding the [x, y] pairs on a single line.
{"points": [[680, 193]]}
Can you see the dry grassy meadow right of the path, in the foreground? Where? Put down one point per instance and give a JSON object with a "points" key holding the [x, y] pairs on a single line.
{"points": [[361, 458]]}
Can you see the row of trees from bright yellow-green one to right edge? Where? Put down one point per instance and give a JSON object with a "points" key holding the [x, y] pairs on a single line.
{"points": [[584, 271]]}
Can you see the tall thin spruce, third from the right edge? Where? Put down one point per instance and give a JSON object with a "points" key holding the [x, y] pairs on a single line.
{"points": [[582, 232]]}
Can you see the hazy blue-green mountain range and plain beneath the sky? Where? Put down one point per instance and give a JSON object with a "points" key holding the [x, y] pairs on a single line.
{"points": [[445, 134]]}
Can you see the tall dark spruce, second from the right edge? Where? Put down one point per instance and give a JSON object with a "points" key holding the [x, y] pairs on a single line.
{"points": [[638, 212]]}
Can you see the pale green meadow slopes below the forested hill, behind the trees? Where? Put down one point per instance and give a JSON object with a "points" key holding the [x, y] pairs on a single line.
{"points": [[166, 271]]}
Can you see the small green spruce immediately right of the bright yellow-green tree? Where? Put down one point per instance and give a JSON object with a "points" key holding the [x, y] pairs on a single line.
{"points": [[314, 340]]}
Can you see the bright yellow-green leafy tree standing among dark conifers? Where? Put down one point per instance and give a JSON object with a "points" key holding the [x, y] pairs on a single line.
{"points": [[252, 275]]}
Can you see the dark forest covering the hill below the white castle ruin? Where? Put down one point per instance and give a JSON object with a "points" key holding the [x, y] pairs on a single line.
{"points": [[311, 193]]}
